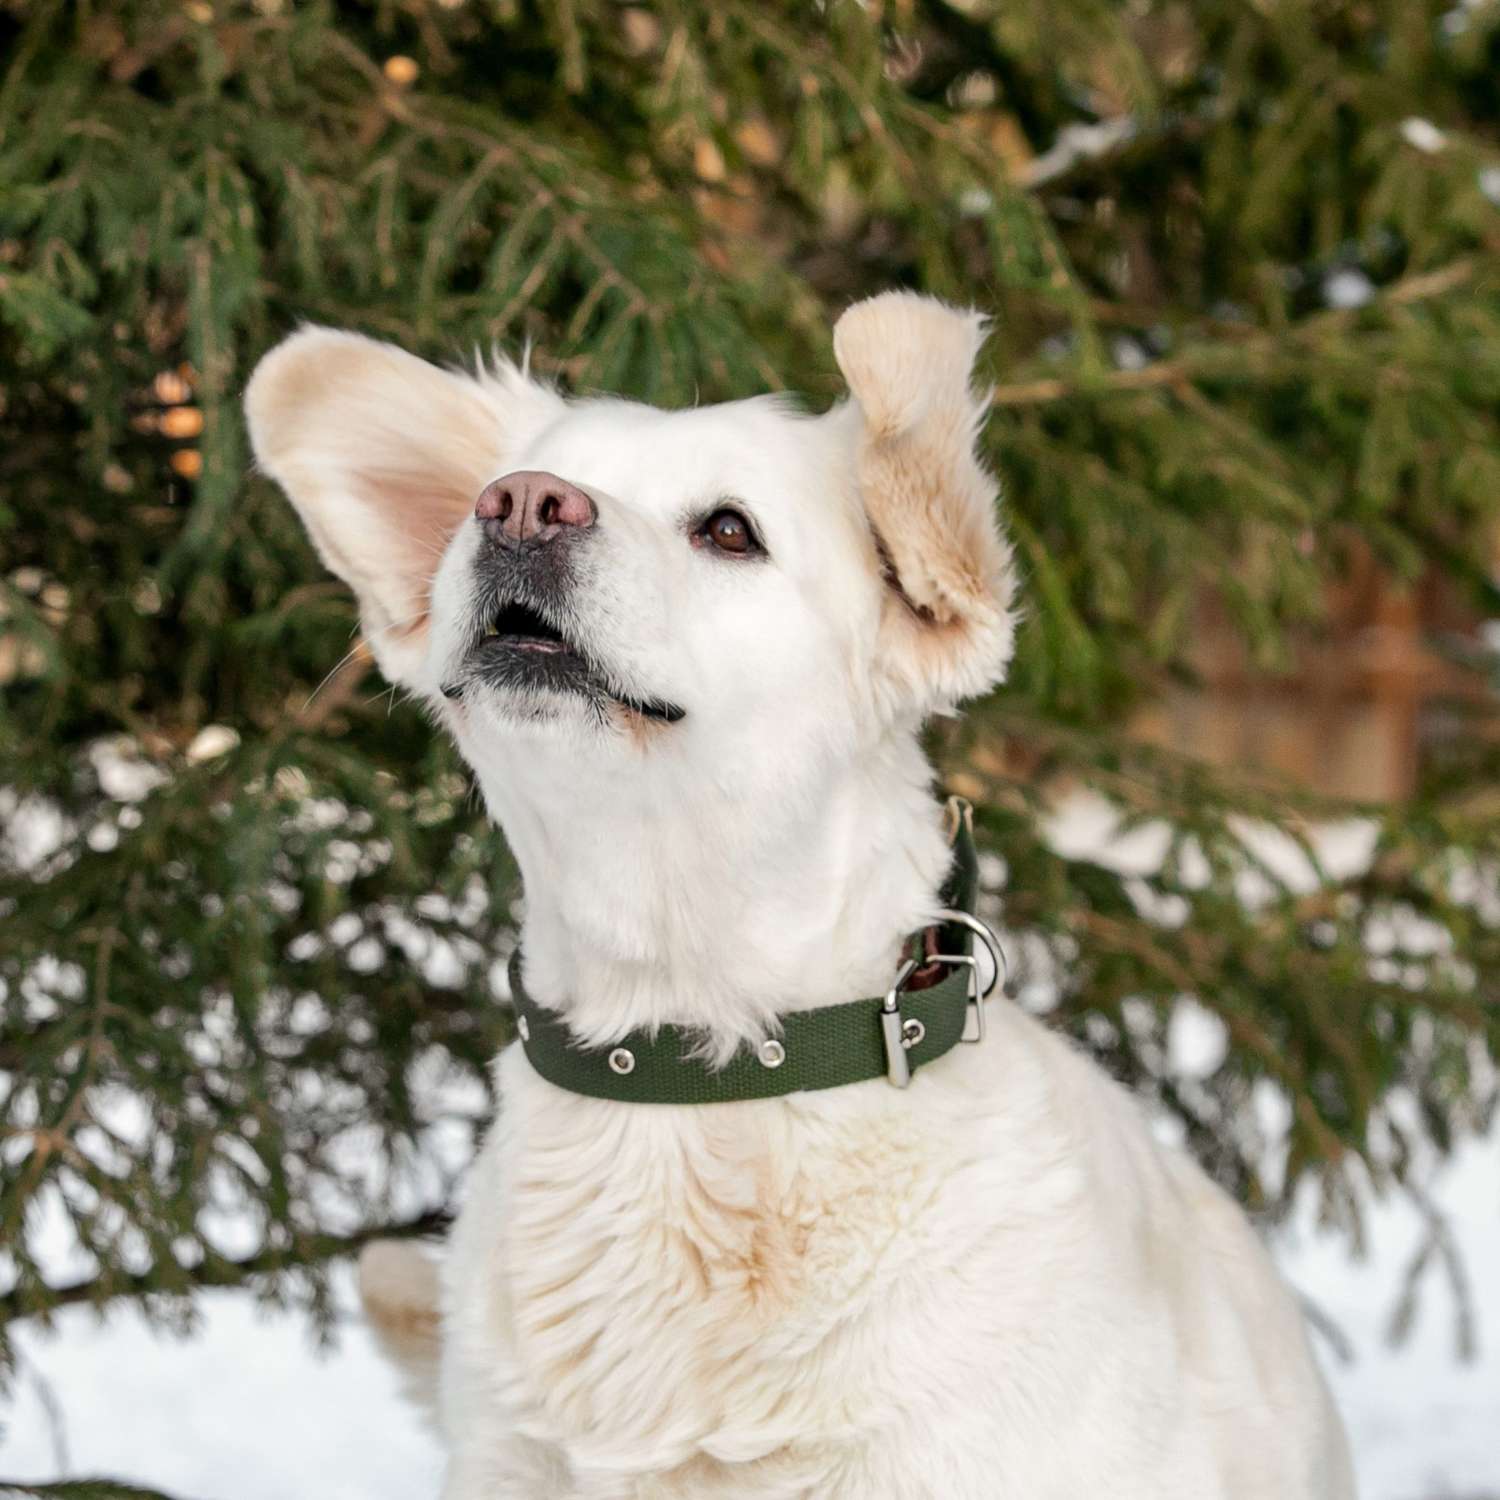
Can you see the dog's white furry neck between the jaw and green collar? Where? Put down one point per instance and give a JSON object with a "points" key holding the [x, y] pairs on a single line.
{"points": [[652, 901]]}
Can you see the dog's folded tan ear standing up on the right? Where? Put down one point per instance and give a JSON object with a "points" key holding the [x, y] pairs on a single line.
{"points": [[947, 631]]}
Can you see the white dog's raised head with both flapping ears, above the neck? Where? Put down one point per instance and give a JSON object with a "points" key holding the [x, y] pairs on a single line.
{"points": [[623, 581]]}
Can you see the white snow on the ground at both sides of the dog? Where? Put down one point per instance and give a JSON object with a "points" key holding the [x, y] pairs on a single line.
{"points": [[250, 1409]]}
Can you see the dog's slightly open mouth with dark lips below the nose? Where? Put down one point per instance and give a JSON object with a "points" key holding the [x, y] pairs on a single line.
{"points": [[523, 652]]}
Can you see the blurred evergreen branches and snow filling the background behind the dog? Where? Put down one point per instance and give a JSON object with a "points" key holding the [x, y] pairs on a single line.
{"points": [[1240, 799]]}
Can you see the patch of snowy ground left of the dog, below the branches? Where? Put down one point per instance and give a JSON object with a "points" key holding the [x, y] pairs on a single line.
{"points": [[247, 1409]]}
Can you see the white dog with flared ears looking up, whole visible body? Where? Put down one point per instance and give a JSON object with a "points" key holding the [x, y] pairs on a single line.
{"points": [[688, 656]]}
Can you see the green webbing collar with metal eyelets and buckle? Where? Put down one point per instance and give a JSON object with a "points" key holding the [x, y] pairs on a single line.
{"points": [[934, 1006]]}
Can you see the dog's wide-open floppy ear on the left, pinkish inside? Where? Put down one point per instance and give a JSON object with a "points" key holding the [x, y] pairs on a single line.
{"points": [[385, 455]]}
